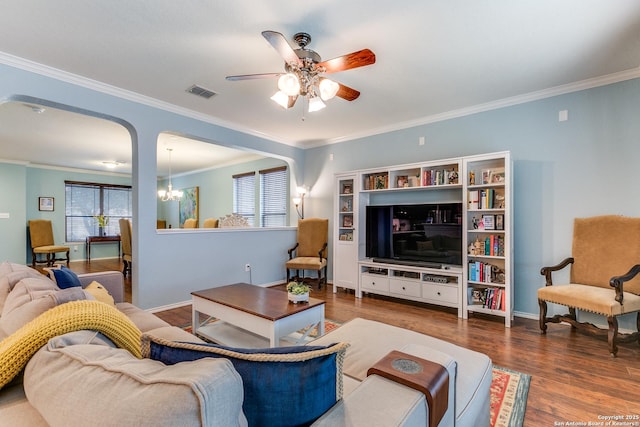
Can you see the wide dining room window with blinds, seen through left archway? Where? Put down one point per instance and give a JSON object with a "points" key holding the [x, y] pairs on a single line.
{"points": [[84, 200]]}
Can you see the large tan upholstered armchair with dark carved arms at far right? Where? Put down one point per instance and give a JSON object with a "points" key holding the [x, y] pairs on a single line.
{"points": [[604, 264]]}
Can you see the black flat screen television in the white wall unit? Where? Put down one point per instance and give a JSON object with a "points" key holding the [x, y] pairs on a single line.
{"points": [[428, 235]]}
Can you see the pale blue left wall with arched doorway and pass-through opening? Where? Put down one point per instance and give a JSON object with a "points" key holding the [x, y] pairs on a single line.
{"points": [[167, 266]]}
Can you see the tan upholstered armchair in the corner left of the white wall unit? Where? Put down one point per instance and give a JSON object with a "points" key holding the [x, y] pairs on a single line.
{"points": [[310, 251]]}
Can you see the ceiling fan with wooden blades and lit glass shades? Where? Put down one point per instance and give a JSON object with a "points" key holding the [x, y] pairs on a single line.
{"points": [[304, 71]]}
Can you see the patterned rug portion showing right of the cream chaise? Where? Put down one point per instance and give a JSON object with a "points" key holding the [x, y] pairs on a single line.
{"points": [[509, 390]]}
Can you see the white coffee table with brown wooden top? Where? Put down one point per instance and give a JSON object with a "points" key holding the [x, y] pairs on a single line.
{"points": [[253, 316]]}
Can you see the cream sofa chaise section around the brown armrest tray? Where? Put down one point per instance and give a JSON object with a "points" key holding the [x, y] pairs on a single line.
{"points": [[375, 400]]}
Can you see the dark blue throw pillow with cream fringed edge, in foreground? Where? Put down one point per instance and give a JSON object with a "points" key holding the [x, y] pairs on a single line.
{"points": [[283, 386]]}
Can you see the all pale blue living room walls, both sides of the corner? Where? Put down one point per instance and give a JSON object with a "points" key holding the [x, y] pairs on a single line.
{"points": [[562, 170]]}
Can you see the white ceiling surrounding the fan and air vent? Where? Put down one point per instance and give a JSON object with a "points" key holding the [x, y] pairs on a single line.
{"points": [[434, 59]]}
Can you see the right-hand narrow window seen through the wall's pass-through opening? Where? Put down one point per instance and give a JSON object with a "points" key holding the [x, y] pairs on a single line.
{"points": [[273, 197]]}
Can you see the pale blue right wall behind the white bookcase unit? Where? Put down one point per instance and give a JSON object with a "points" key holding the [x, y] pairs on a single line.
{"points": [[582, 167]]}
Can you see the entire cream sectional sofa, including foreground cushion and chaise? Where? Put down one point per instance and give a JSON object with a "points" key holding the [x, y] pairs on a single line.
{"points": [[54, 389]]}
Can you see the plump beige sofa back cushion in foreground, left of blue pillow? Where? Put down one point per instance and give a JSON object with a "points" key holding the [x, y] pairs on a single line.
{"points": [[80, 379]]}
